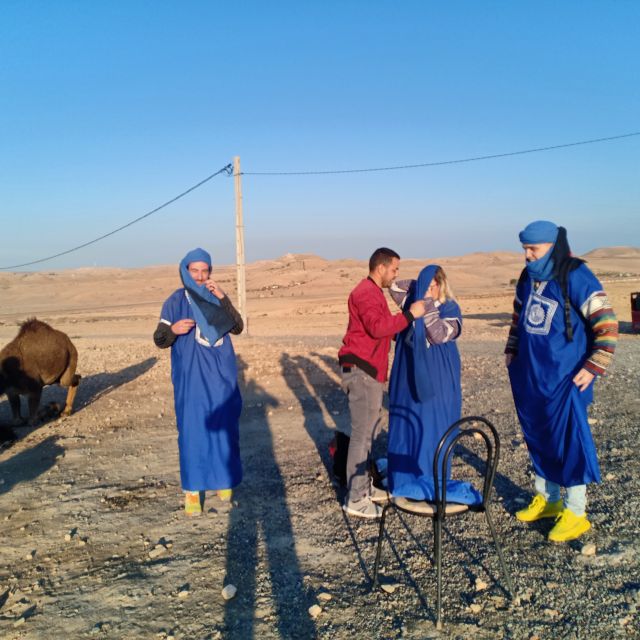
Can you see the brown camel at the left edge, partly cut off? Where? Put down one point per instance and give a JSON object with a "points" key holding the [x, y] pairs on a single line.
{"points": [[39, 355]]}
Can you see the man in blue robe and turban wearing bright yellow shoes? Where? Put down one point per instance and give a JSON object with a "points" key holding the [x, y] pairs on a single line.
{"points": [[562, 336]]}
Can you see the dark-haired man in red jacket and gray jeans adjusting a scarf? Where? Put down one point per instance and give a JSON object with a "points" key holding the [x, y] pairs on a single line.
{"points": [[364, 360]]}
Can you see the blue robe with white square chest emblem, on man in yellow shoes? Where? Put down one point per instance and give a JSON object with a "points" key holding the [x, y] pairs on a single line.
{"points": [[551, 409]]}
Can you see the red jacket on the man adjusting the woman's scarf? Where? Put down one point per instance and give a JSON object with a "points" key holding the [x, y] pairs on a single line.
{"points": [[371, 327]]}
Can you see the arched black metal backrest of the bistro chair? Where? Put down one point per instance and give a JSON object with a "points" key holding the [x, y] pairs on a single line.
{"points": [[491, 440]]}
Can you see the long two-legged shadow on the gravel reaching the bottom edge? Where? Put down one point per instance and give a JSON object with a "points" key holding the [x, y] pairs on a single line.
{"points": [[261, 512]]}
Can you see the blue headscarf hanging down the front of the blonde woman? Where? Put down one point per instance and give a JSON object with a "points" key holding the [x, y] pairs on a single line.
{"points": [[419, 355]]}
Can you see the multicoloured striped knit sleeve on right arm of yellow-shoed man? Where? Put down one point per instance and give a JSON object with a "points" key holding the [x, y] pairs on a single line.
{"points": [[598, 312]]}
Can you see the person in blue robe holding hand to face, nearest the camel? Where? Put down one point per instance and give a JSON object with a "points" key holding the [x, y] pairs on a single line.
{"points": [[195, 322]]}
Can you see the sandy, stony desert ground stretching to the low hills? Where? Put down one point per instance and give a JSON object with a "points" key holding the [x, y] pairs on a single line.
{"points": [[93, 541]]}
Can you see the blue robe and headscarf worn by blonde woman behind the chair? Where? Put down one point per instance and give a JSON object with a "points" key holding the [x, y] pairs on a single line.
{"points": [[424, 401]]}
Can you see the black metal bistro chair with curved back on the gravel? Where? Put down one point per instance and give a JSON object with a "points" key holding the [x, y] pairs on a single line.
{"points": [[440, 508]]}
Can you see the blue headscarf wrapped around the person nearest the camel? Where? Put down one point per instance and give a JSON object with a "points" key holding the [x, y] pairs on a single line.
{"points": [[212, 320]]}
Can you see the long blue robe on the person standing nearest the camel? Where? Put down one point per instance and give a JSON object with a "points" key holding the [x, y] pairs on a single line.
{"points": [[207, 404]]}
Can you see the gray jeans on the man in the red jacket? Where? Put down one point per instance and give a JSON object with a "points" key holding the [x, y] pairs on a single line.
{"points": [[365, 404]]}
